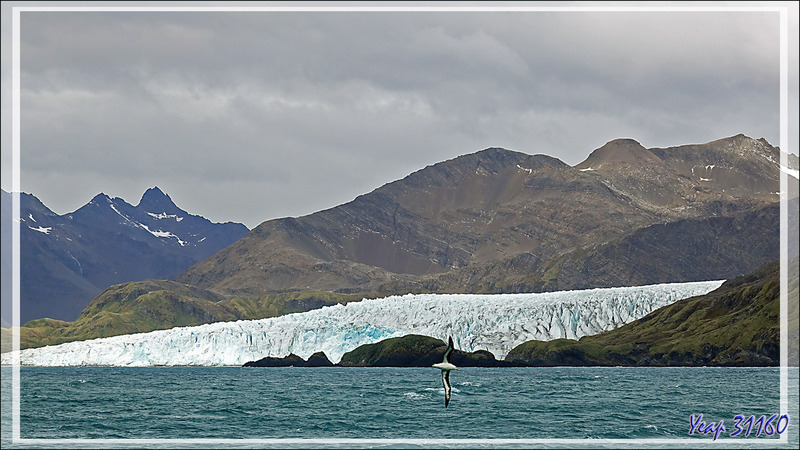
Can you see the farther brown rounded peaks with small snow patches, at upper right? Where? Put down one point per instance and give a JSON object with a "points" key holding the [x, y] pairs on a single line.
{"points": [[707, 177]]}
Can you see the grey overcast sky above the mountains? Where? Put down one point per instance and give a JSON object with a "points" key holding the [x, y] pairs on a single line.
{"points": [[249, 116]]}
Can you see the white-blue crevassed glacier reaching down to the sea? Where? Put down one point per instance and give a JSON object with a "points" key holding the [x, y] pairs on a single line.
{"points": [[493, 322]]}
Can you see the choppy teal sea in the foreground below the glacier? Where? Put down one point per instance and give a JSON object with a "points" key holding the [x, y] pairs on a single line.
{"points": [[179, 407]]}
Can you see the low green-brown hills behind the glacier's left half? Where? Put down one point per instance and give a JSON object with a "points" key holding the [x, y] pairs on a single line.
{"points": [[149, 305]]}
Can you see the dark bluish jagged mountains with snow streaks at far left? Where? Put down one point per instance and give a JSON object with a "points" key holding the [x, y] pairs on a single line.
{"points": [[66, 260]]}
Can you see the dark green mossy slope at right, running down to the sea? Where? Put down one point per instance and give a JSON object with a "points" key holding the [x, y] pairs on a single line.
{"points": [[735, 325]]}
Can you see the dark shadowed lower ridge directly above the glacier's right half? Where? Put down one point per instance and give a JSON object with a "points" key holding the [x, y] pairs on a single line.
{"points": [[718, 247]]}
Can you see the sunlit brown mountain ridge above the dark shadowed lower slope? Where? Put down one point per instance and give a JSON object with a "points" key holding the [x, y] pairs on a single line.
{"points": [[490, 206]]}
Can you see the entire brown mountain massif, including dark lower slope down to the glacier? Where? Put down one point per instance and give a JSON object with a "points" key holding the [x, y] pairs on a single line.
{"points": [[504, 221]]}
